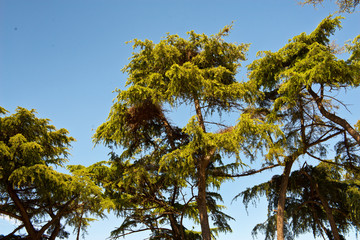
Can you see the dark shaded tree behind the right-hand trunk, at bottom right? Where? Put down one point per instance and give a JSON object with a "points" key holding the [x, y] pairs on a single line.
{"points": [[316, 196]]}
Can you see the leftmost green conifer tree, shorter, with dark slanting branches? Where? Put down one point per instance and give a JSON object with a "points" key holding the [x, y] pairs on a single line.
{"points": [[41, 199]]}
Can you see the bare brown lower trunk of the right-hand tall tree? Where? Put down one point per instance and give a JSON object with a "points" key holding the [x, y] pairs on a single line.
{"points": [[282, 198]]}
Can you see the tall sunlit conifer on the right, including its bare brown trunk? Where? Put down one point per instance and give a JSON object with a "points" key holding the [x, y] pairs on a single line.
{"points": [[288, 79]]}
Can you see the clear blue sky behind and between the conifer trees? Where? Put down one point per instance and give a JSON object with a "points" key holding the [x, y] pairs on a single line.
{"points": [[63, 58]]}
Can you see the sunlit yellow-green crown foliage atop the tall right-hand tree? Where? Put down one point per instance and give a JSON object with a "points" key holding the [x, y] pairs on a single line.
{"points": [[304, 62]]}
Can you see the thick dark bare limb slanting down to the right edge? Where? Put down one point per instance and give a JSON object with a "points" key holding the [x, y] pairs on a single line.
{"points": [[332, 117]]}
